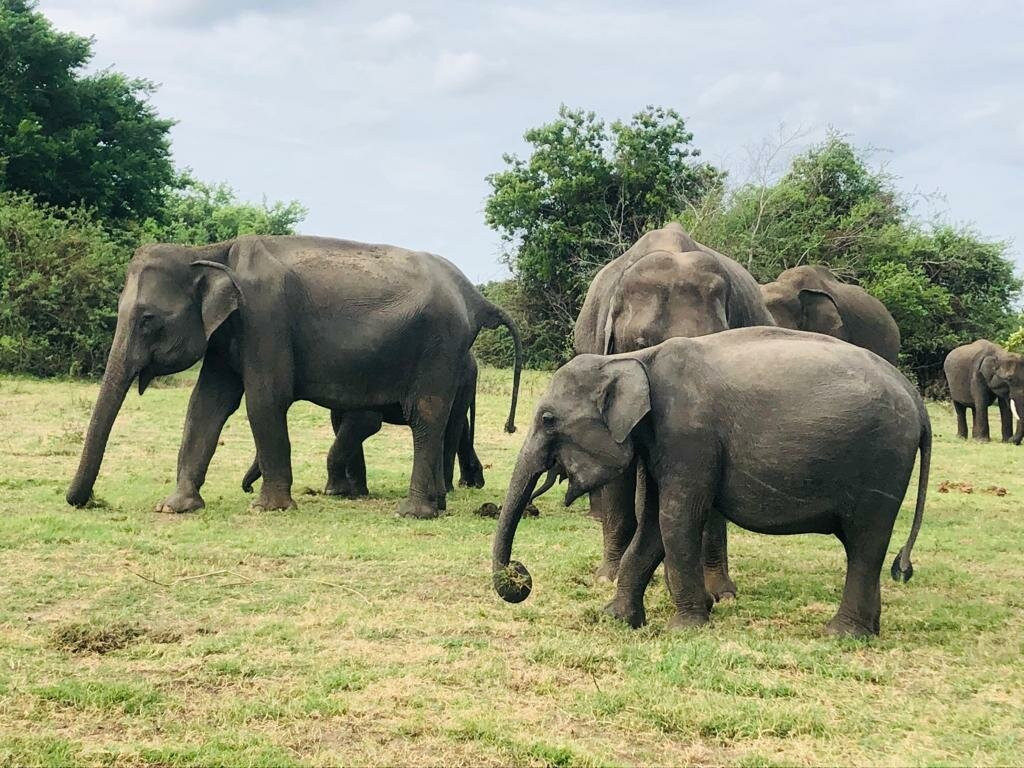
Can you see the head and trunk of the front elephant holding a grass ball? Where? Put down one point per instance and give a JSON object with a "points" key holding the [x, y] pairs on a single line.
{"points": [[583, 430]]}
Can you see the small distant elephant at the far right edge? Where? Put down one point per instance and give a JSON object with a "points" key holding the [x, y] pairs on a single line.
{"points": [[979, 374]]}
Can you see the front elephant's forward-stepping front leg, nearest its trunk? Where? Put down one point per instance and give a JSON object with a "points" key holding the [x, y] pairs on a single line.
{"points": [[639, 563]]}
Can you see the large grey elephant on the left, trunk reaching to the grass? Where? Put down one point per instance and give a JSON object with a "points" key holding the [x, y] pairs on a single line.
{"points": [[345, 325]]}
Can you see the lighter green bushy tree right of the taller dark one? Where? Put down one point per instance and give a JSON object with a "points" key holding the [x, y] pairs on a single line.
{"points": [[945, 286]]}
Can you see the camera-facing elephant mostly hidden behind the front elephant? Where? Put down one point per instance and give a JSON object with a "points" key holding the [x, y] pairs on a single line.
{"points": [[667, 285]]}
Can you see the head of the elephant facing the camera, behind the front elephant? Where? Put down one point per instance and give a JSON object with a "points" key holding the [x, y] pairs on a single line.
{"points": [[663, 295]]}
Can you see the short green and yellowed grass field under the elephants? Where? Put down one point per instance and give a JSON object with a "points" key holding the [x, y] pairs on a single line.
{"points": [[337, 633]]}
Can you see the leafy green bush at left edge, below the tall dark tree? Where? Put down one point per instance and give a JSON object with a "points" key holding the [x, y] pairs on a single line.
{"points": [[61, 274]]}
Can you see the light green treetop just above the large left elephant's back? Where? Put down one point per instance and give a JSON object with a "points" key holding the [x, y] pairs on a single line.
{"points": [[196, 214]]}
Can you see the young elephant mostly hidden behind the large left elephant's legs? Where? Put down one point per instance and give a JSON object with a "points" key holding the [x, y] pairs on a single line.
{"points": [[347, 464]]}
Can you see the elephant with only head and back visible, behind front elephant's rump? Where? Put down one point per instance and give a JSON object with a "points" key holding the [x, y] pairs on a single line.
{"points": [[810, 298]]}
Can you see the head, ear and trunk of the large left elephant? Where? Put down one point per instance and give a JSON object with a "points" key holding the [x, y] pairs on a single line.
{"points": [[173, 303]]}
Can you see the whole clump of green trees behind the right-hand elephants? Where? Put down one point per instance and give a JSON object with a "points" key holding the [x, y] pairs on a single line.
{"points": [[587, 193]]}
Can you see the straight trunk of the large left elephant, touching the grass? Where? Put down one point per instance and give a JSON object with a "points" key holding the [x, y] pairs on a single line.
{"points": [[117, 380]]}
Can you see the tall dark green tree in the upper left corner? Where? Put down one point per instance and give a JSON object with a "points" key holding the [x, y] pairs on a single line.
{"points": [[76, 140]]}
